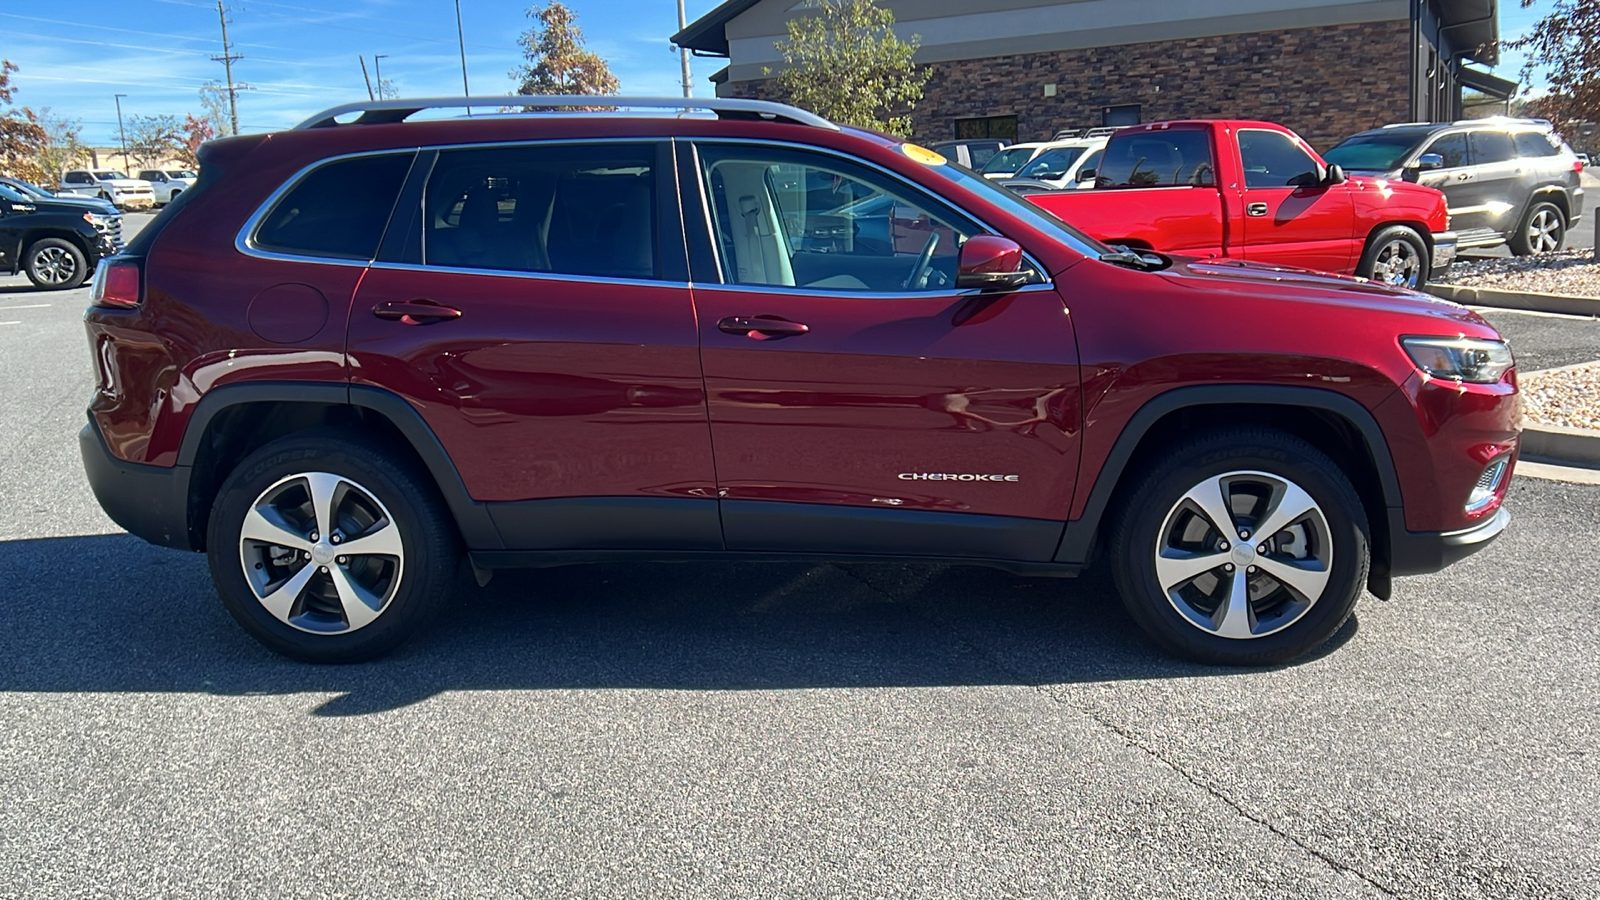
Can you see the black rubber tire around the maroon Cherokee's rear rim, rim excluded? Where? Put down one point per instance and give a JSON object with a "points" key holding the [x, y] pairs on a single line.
{"points": [[428, 553]]}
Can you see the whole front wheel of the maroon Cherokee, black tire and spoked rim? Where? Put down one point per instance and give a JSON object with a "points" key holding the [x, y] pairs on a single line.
{"points": [[1158, 508]]}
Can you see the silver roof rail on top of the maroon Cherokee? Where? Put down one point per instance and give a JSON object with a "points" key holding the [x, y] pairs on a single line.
{"points": [[383, 111]]}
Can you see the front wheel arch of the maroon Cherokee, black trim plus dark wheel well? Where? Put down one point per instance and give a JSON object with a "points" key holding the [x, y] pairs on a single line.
{"points": [[1326, 419]]}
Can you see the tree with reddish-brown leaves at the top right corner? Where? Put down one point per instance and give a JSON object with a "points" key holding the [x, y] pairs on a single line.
{"points": [[1566, 44]]}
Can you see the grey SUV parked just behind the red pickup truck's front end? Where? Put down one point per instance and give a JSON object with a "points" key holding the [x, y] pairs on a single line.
{"points": [[1506, 180]]}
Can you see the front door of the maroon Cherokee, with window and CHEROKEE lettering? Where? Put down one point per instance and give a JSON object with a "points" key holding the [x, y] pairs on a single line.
{"points": [[860, 403]]}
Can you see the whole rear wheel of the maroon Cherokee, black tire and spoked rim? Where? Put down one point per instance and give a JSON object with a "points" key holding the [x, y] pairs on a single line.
{"points": [[415, 584]]}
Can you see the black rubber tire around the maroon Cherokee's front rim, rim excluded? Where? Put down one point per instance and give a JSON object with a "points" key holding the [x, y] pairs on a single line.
{"points": [[1153, 502]]}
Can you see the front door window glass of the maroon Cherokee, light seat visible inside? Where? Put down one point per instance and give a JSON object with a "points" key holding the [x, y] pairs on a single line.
{"points": [[791, 219]]}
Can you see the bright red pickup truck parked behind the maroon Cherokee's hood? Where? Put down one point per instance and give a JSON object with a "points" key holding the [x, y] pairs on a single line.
{"points": [[1257, 191]]}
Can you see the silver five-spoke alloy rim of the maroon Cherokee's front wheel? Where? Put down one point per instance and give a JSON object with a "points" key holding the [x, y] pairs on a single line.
{"points": [[1244, 555]]}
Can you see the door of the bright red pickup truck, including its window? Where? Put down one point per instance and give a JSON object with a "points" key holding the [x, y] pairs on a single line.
{"points": [[1292, 219]]}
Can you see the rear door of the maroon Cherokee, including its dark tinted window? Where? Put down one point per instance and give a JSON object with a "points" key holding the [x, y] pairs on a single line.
{"points": [[532, 303]]}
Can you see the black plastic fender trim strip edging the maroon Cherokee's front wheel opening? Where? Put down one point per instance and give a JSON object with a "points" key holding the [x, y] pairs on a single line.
{"points": [[1078, 540]]}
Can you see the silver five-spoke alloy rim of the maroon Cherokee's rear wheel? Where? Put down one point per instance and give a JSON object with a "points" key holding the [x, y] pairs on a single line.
{"points": [[321, 553]]}
